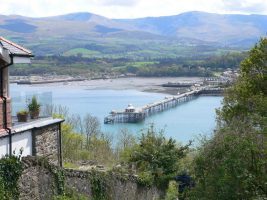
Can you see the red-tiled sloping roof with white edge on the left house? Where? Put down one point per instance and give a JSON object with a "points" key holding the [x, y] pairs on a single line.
{"points": [[15, 49]]}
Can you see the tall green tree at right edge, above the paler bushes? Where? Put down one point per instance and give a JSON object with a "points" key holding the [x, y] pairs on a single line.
{"points": [[247, 99]]}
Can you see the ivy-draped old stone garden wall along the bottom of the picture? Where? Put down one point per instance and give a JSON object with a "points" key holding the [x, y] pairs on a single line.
{"points": [[38, 181]]}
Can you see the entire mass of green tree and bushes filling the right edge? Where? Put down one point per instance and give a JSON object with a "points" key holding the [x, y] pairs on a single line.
{"points": [[233, 163]]}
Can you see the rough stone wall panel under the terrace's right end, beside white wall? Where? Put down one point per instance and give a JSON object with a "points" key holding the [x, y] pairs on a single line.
{"points": [[46, 142]]}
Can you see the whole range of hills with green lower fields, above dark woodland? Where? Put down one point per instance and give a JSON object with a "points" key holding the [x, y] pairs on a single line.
{"points": [[180, 35]]}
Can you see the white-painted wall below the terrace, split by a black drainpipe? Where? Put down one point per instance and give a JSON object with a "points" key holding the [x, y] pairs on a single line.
{"points": [[19, 140]]}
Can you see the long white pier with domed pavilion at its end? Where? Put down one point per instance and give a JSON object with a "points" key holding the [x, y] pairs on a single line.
{"points": [[137, 114]]}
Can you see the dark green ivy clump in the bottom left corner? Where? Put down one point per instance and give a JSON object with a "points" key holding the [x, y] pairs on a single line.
{"points": [[10, 172]]}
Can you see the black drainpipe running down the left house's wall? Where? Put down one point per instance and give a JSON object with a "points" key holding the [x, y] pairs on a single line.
{"points": [[5, 105]]}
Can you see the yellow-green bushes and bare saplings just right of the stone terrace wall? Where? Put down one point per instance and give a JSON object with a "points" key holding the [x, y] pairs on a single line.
{"points": [[90, 144]]}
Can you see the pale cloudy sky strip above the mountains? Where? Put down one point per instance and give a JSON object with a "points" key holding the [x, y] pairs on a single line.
{"points": [[129, 8]]}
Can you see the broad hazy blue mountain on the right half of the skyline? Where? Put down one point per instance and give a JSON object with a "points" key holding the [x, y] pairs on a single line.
{"points": [[224, 29]]}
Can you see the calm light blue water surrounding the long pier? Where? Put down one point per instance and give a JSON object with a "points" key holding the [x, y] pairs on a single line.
{"points": [[182, 123]]}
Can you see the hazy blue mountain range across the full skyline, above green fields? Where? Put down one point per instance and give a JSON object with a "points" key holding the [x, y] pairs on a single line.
{"points": [[190, 28]]}
